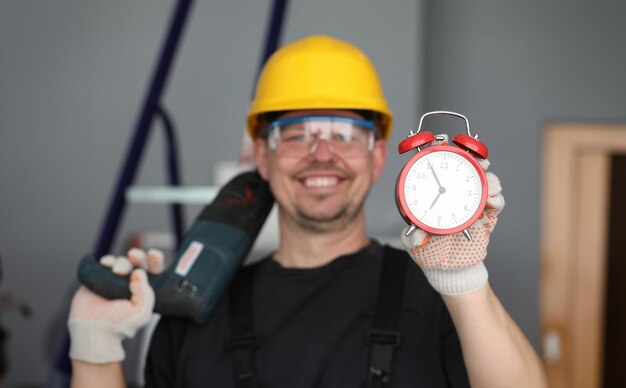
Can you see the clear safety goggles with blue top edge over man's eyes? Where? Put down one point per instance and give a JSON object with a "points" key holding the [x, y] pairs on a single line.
{"points": [[298, 136]]}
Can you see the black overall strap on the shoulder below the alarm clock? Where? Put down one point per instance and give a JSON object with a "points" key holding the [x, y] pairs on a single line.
{"points": [[384, 337]]}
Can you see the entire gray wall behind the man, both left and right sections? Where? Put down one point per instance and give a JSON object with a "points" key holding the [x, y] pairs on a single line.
{"points": [[73, 74]]}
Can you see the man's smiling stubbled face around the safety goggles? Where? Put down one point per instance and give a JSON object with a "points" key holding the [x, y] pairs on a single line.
{"points": [[320, 191]]}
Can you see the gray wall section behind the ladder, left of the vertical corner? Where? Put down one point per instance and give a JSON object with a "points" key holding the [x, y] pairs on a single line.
{"points": [[72, 78]]}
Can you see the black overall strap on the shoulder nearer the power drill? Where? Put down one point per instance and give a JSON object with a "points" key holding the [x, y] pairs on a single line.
{"points": [[243, 340]]}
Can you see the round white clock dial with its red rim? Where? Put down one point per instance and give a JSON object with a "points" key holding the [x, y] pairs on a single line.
{"points": [[442, 190]]}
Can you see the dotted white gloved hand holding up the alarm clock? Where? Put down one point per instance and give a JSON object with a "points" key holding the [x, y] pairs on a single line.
{"points": [[452, 264]]}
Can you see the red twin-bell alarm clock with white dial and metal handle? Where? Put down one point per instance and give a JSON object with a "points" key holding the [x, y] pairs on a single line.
{"points": [[442, 189]]}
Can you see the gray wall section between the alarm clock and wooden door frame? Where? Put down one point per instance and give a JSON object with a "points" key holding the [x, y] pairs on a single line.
{"points": [[512, 66]]}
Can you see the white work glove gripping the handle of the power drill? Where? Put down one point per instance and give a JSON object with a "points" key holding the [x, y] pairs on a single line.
{"points": [[97, 326]]}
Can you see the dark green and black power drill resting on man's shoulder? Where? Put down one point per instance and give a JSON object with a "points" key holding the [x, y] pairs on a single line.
{"points": [[212, 250]]}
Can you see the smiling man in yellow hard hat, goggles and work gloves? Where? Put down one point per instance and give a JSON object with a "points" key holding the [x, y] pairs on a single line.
{"points": [[319, 122]]}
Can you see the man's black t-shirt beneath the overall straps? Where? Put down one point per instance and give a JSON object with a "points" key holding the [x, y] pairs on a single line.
{"points": [[312, 325]]}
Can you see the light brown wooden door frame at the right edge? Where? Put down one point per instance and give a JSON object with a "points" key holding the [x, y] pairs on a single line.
{"points": [[574, 222]]}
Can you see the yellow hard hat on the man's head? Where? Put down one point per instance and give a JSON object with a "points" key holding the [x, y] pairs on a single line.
{"points": [[318, 72]]}
